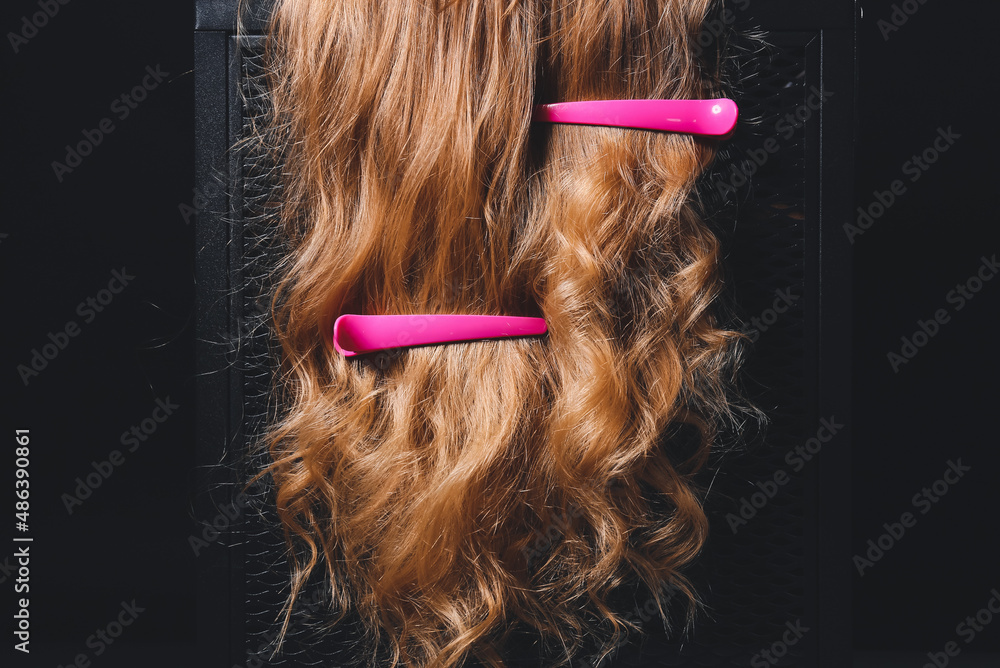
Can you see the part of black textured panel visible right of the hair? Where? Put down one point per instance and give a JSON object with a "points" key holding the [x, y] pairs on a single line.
{"points": [[754, 579]]}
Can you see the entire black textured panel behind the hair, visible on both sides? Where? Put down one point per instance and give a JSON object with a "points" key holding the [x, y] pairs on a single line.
{"points": [[754, 580]]}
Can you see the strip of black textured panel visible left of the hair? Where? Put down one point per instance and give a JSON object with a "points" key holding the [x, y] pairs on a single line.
{"points": [[266, 567]]}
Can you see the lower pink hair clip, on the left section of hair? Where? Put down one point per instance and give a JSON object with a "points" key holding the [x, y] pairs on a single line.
{"points": [[356, 334]]}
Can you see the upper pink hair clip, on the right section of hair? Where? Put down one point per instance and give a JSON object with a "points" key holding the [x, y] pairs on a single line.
{"points": [[701, 117]]}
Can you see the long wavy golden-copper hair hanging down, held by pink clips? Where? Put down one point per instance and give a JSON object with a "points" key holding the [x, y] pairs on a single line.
{"points": [[420, 481]]}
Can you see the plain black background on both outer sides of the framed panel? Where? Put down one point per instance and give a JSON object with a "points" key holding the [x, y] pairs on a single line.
{"points": [[121, 207]]}
